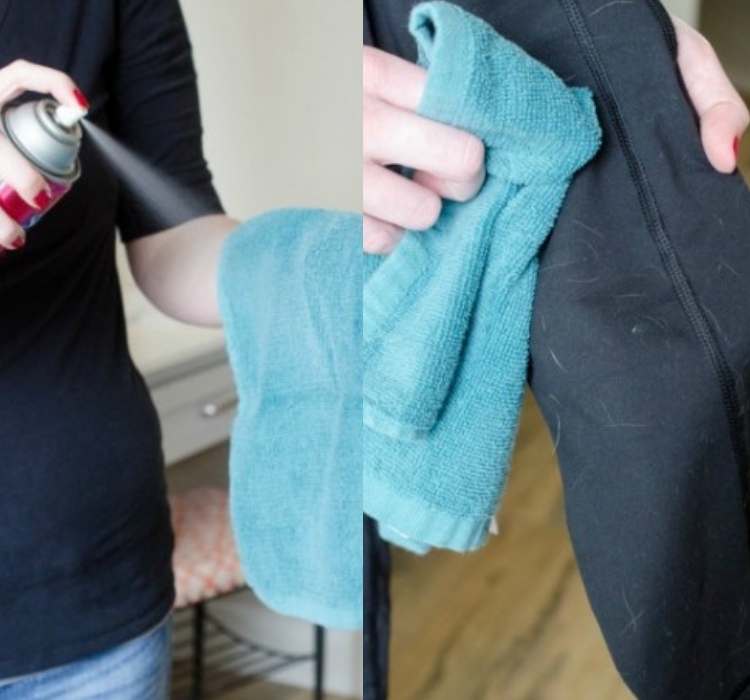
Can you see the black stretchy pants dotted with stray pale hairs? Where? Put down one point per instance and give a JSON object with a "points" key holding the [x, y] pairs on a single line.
{"points": [[640, 350]]}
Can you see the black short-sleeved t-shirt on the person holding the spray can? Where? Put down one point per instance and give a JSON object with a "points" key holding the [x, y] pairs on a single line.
{"points": [[85, 540]]}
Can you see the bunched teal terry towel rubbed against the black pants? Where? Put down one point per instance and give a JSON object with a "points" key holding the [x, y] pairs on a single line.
{"points": [[447, 314]]}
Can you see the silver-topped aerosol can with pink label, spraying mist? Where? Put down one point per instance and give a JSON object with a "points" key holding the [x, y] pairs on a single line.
{"points": [[48, 135]]}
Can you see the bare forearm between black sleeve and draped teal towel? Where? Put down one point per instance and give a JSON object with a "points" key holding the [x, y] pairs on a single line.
{"points": [[177, 269]]}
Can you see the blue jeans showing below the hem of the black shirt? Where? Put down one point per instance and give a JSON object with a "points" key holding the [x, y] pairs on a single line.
{"points": [[136, 670]]}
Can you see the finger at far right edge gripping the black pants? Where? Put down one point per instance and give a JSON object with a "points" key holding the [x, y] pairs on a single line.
{"points": [[723, 114]]}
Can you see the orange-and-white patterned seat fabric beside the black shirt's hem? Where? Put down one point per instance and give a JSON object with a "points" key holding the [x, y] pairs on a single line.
{"points": [[205, 560]]}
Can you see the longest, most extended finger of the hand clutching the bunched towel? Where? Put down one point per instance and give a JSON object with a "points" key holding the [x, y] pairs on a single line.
{"points": [[394, 136]]}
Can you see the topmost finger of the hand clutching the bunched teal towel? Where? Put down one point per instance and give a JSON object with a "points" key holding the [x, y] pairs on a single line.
{"points": [[392, 79]]}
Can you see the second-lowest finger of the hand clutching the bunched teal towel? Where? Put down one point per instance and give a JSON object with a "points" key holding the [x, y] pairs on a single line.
{"points": [[398, 200]]}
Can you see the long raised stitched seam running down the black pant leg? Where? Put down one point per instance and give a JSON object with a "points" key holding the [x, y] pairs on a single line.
{"points": [[680, 282]]}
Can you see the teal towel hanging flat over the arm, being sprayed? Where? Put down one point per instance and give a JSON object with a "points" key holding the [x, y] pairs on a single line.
{"points": [[290, 297]]}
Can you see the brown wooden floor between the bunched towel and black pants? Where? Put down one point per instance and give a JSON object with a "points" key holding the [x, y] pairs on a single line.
{"points": [[510, 622]]}
